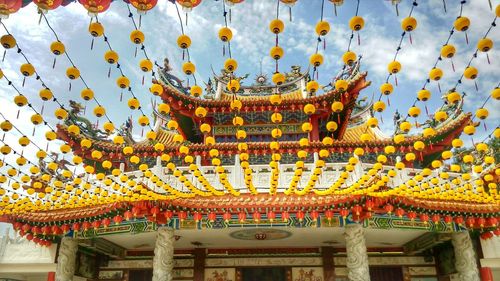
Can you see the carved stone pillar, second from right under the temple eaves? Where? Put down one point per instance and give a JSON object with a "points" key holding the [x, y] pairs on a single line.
{"points": [[357, 257]]}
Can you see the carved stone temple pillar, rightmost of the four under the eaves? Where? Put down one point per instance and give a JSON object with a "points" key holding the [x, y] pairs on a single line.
{"points": [[465, 257]]}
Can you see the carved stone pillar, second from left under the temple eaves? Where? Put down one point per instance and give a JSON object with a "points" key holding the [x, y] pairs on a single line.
{"points": [[163, 262]]}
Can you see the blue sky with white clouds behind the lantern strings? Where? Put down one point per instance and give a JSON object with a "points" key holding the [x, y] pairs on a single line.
{"points": [[251, 43]]}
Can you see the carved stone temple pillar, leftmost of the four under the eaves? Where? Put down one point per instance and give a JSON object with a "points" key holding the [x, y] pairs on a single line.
{"points": [[66, 259]]}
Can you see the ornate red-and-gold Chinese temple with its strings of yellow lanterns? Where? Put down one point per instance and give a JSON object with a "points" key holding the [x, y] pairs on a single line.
{"points": [[266, 178]]}
